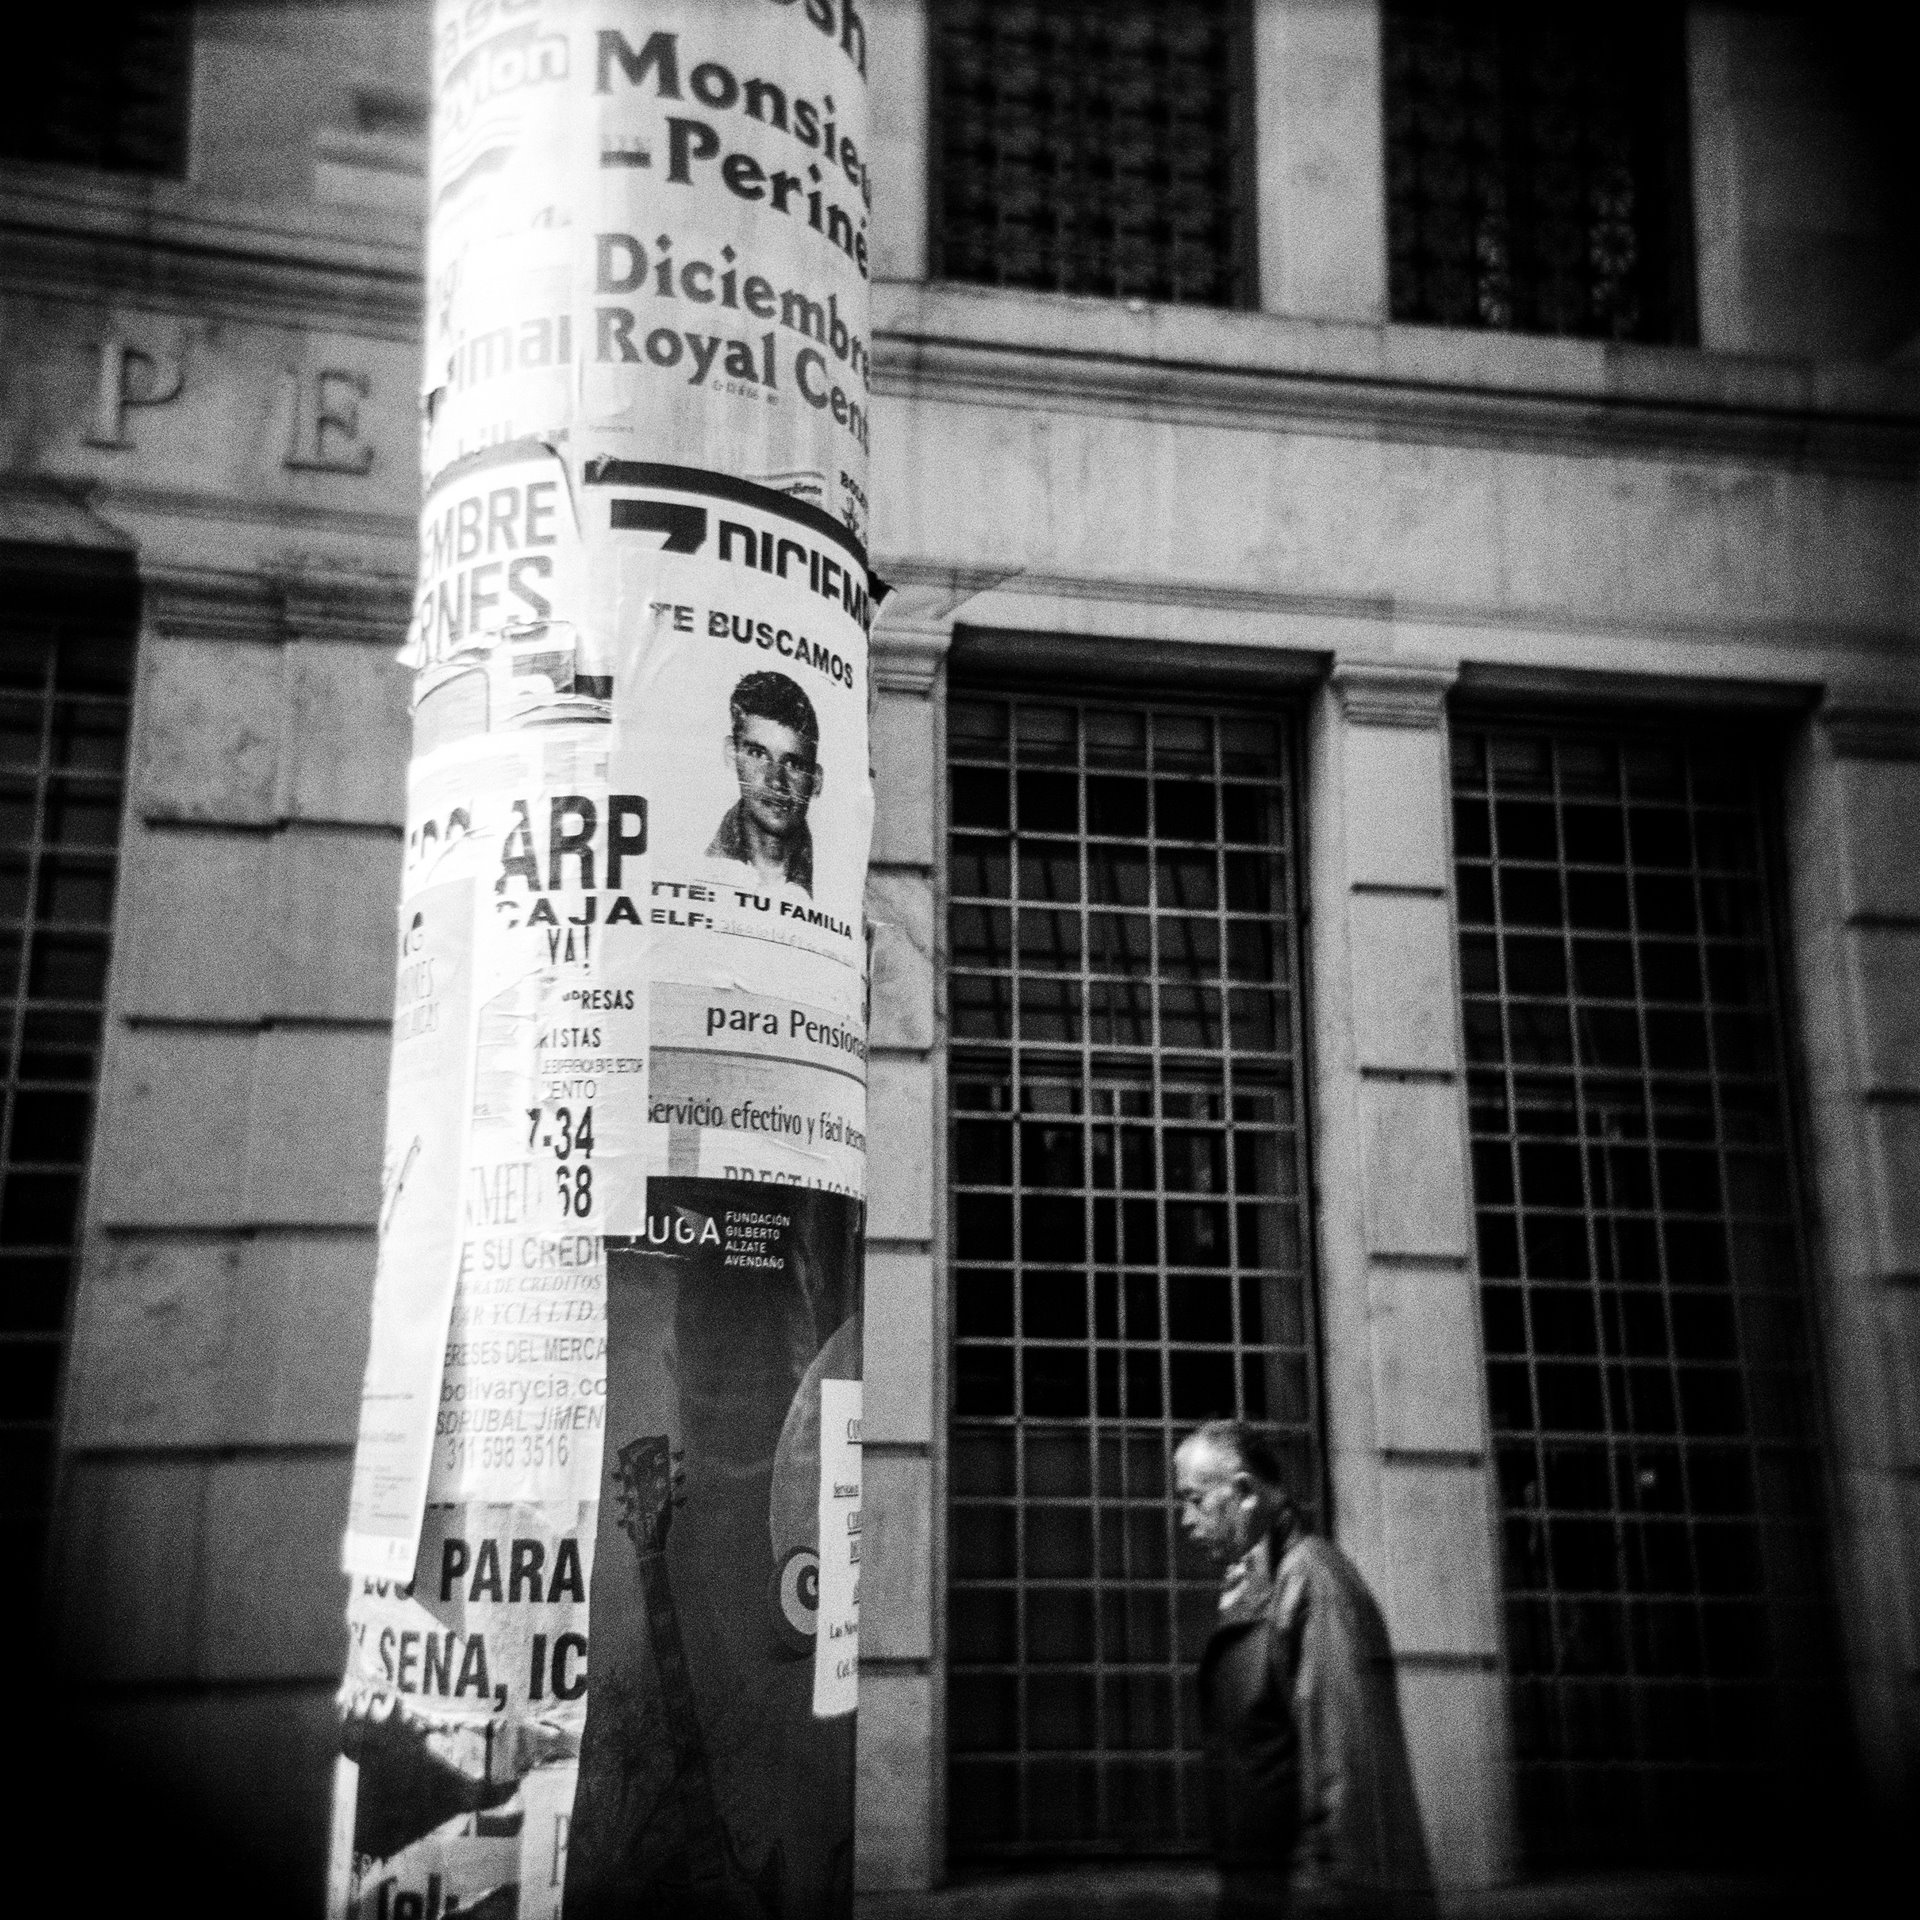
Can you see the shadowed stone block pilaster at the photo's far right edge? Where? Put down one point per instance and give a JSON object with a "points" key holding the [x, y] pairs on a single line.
{"points": [[1854, 871]]}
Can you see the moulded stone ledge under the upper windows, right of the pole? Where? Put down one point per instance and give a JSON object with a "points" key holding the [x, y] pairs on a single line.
{"points": [[1397, 383]]}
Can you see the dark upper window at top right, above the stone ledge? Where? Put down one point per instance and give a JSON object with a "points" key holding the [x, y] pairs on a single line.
{"points": [[1537, 168]]}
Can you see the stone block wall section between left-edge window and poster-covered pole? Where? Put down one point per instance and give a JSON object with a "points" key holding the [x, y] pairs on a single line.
{"points": [[222, 1310]]}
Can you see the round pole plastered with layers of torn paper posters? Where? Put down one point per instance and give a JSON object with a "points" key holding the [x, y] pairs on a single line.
{"points": [[606, 1522]]}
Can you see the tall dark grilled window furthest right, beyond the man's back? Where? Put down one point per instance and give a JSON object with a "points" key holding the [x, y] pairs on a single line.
{"points": [[1646, 1330]]}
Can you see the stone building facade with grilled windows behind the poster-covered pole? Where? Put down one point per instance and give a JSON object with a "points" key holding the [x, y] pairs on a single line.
{"points": [[1491, 1061]]}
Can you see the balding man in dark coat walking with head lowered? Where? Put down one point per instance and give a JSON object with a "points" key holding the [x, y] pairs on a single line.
{"points": [[1310, 1794]]}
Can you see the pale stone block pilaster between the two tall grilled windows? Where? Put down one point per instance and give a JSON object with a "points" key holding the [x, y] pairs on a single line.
{"points": [[1401, 1320]]}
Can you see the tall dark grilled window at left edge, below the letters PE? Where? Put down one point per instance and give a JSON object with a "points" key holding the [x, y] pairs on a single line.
{"points": [[64, 706]]}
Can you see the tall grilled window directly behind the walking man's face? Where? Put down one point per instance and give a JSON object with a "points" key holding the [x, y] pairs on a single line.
{"points": [[1128, 1232]]}
